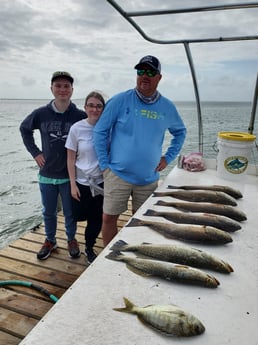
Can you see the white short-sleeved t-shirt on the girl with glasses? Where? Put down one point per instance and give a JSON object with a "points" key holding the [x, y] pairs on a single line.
{"points": [[80, 140]]}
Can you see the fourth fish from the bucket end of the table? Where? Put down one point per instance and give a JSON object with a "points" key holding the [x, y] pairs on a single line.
{"points": [[219, 222]]}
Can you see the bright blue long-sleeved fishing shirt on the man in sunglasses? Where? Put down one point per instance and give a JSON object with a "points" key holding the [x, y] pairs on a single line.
{"points": [[129, 135]]}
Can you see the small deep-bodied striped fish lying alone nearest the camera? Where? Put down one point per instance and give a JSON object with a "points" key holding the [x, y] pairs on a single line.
{"points": [[169, 320]]}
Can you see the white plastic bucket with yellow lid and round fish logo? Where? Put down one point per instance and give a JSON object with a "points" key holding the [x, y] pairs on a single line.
{"points": [[234, 151]]}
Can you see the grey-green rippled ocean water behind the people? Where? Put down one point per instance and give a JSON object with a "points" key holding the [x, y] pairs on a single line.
{"points": [[20, 206]]}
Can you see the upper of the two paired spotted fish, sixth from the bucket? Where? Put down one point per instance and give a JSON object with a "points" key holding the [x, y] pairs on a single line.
{"points": [[176, 254]]}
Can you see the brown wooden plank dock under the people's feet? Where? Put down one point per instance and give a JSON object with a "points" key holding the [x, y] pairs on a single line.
{"points": [[21, 307]]}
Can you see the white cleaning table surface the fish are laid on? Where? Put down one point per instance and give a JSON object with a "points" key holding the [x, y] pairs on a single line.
{"points": [[84, 314]]}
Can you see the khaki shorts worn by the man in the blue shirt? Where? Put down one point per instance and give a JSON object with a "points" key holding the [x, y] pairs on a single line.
{"points": [[117, 193]]}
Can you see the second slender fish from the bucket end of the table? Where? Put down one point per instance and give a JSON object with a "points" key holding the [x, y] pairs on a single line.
{"points": [[200, 196]]}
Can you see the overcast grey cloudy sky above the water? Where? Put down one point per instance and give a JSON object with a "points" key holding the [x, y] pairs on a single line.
{"points": [[99, 48]]}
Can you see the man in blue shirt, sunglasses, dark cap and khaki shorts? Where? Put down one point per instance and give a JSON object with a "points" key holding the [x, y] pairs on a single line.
{"points": [[128, 140]]}
